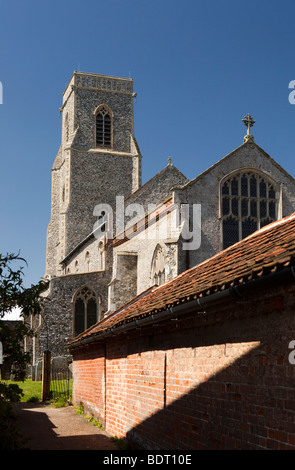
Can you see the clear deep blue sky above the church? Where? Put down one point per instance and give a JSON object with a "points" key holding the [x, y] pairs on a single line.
{"points": [[198, 67]]}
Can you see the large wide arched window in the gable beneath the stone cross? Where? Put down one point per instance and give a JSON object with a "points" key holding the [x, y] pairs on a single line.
{"points": [[249, 201]]}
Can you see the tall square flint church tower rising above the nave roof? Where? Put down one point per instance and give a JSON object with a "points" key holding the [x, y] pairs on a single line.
{"points": [[98, 159]]}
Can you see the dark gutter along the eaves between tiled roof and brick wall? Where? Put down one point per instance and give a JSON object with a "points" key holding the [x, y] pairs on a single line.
{"points": [[236, 292]]}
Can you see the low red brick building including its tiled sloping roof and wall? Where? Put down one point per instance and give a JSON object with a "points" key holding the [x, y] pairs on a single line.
{"points": [[204, 360]]}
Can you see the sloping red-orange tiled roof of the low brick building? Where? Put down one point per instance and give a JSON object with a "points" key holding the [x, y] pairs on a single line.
{"points": [[266, 251]]}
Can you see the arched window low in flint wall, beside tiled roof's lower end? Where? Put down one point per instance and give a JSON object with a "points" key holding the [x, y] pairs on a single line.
{"points": [[85, 310]]}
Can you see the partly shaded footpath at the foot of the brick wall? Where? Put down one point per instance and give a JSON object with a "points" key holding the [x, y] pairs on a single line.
{"points": [[47, 428]]}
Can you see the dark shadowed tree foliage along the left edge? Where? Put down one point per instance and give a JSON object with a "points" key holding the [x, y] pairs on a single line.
{"points": [[13, 295]]}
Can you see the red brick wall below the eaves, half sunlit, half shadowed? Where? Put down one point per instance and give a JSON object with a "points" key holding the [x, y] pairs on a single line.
{"points": [[222, 380]]}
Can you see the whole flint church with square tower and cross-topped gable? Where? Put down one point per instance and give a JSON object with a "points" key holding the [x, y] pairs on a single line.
{"points": [[112, 239]]}
